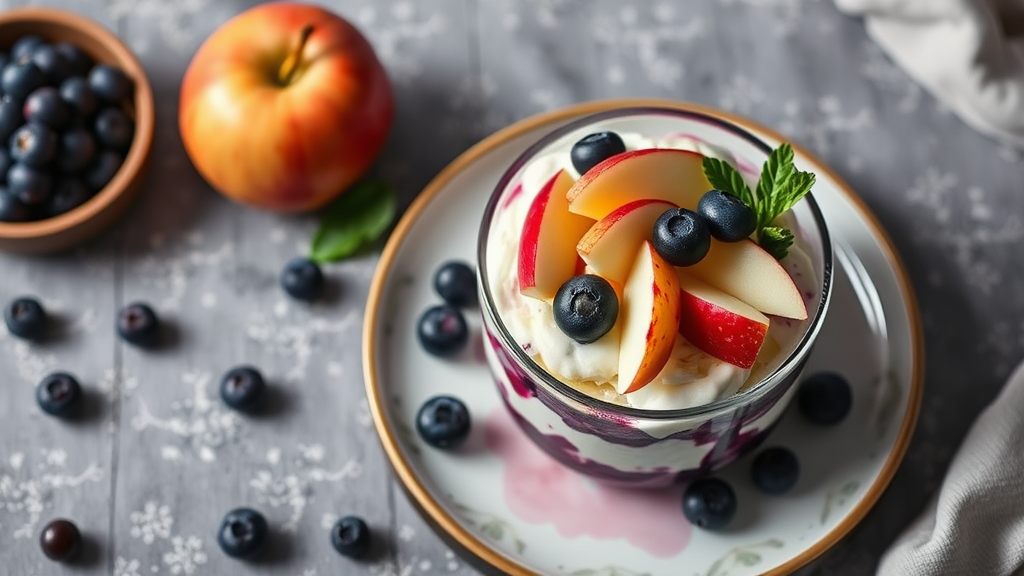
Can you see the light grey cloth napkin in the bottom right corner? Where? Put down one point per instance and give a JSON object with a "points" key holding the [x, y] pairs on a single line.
{"points": [[975, 525]]}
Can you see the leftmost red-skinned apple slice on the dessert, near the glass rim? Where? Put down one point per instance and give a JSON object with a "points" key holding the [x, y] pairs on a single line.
{"points": [[547, 246]]}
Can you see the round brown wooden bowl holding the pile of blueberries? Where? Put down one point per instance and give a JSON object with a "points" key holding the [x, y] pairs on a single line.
{"points": [[108, 205]]}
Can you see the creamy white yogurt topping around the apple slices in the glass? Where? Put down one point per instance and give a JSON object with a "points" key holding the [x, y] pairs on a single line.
{"points": [[691, 378]]}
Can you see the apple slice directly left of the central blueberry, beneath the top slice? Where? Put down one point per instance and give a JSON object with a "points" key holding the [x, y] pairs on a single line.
{"points": [[610, 246]]}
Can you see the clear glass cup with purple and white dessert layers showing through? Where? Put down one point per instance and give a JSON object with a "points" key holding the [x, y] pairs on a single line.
{"points": [[635, 447]]}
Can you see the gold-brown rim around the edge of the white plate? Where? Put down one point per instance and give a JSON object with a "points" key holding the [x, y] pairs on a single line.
{"points": [[436, 514]]}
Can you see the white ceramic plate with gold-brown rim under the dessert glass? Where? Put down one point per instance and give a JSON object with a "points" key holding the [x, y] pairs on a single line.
{"points": [[509, 509]]}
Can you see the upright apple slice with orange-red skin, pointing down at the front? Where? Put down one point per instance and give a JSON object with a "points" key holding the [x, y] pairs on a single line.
{"points": [[651, 320]]}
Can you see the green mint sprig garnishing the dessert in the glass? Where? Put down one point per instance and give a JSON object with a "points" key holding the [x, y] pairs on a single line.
{"points": [[781, 187]]}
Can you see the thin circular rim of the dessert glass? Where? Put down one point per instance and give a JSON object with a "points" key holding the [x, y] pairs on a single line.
{"points": [[562, 389]]}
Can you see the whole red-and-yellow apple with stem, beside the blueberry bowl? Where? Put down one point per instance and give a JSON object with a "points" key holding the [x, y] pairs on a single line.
{"points": [[285, 107]]}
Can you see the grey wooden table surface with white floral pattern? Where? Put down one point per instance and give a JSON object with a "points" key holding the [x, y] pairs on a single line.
{"points": [[151, 473]]}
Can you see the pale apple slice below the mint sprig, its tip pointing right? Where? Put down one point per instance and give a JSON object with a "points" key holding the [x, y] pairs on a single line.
{"points": [[745, 271]]}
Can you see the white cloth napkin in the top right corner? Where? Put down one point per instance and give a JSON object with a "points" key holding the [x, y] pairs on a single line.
{"points": [[967, 53]]}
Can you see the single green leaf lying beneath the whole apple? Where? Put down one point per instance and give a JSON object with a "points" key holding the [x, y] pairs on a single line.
{"points": [[360, 217]]}
